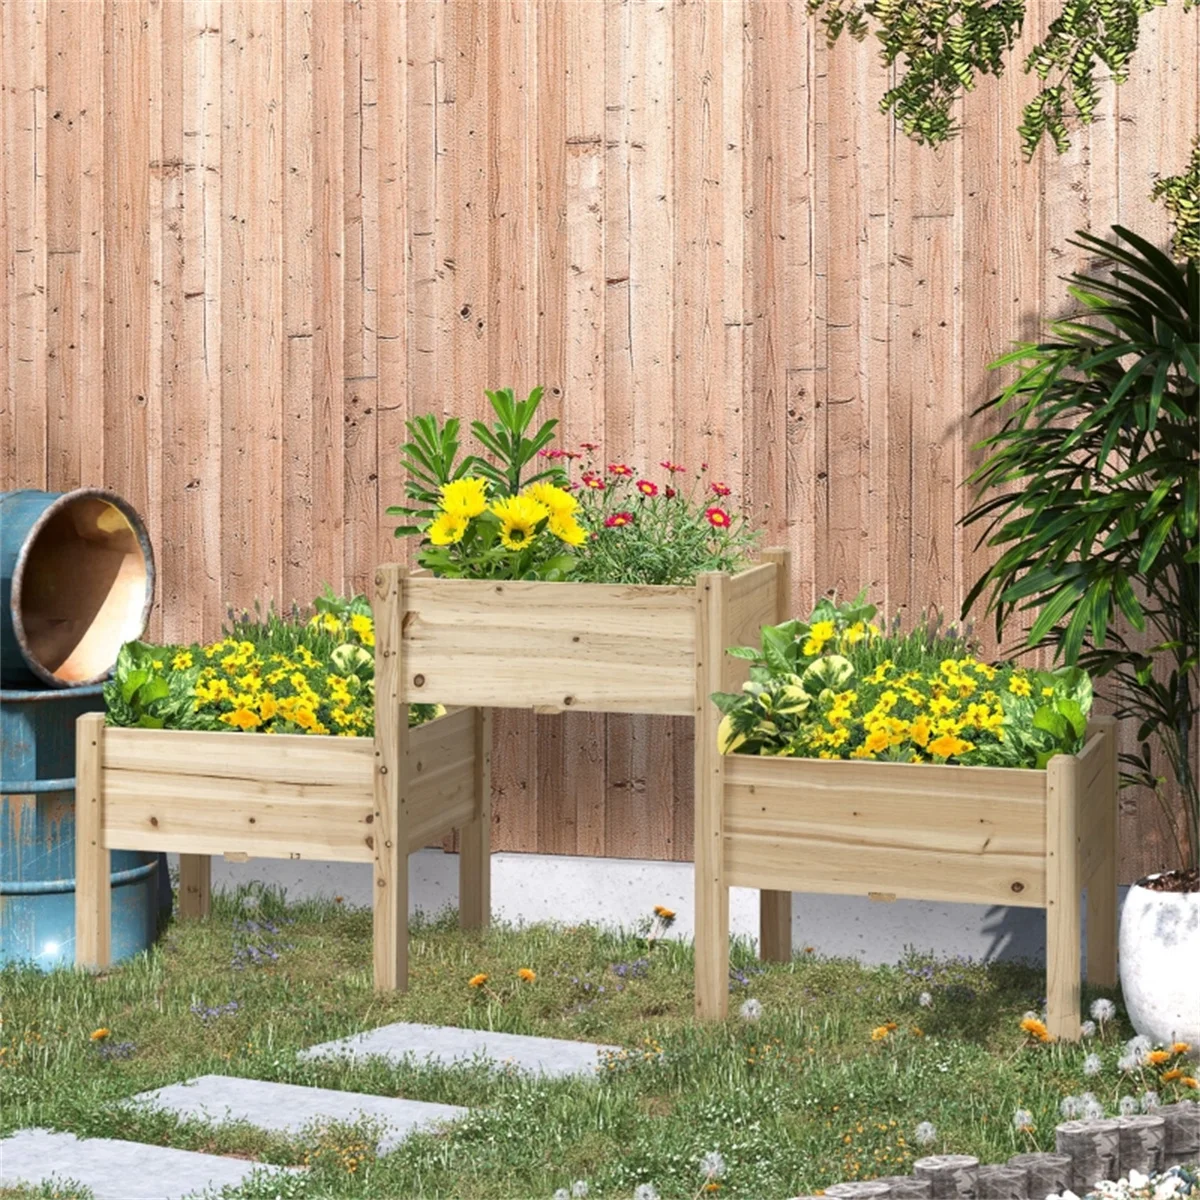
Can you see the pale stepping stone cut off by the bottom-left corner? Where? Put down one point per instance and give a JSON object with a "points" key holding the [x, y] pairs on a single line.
{"points": [[118, 1171]]}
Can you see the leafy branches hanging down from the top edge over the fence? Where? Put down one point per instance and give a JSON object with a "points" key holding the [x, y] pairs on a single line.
{"points": [[946, 44]]}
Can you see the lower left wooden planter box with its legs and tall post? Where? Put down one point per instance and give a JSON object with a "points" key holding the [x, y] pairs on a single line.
{"points": [[275, 796]]}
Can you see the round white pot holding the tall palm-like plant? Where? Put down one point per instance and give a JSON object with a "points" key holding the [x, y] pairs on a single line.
{"points": [[1160, 953]]}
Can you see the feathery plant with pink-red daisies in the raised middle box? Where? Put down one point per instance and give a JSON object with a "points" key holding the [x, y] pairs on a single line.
{"points": [[645, 532]]}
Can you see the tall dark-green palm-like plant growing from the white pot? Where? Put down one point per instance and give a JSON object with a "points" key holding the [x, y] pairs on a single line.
{"points": [[1090, 490]]}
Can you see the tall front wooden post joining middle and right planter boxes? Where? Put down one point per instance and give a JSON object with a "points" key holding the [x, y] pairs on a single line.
{"points": [[712, 892]]}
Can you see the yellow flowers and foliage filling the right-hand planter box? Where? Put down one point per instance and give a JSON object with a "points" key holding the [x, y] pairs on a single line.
{"points": [[838, 687]]}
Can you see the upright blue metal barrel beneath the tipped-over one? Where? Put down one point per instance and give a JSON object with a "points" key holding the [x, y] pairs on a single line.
{"points": [[38, 837]]}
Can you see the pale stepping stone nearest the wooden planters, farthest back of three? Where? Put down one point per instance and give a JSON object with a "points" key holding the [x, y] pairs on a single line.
{"points": [[447, 1046]]}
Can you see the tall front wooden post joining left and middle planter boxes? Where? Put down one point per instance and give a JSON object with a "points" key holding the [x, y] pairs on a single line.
{"points": [[391, 836]]}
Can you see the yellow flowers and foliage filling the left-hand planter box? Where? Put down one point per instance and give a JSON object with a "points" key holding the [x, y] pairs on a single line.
{"points": [[267, 675]]}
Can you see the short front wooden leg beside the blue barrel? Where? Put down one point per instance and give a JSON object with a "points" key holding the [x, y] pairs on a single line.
{"points": [[94, 898]]}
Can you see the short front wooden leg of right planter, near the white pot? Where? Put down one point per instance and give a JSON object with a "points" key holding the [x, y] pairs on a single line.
{"points": [[1064, 886]]}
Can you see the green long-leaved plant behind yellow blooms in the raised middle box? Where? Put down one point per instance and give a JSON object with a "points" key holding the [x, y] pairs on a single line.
{"points": [[431, 458]]}
